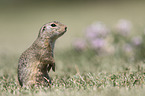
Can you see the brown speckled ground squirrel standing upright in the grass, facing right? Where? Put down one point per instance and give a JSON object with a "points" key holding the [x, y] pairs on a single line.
{"points": [[35, 63]]}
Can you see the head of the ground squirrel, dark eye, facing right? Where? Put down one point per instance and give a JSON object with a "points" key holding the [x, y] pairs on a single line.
{"points": [[52, 30]]}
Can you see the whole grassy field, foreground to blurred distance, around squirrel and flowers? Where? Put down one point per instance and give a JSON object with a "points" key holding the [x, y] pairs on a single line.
{"points": [[77, 74]]}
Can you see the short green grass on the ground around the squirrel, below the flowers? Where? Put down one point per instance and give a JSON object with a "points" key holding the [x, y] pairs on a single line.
{"points": [[80, 77]]}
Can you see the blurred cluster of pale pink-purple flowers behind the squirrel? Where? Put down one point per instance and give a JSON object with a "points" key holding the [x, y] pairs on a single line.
{"points": [[103, 40]]}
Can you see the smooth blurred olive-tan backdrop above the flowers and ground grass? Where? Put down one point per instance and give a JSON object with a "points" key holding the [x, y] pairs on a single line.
{"points": [[21, 20]]}
